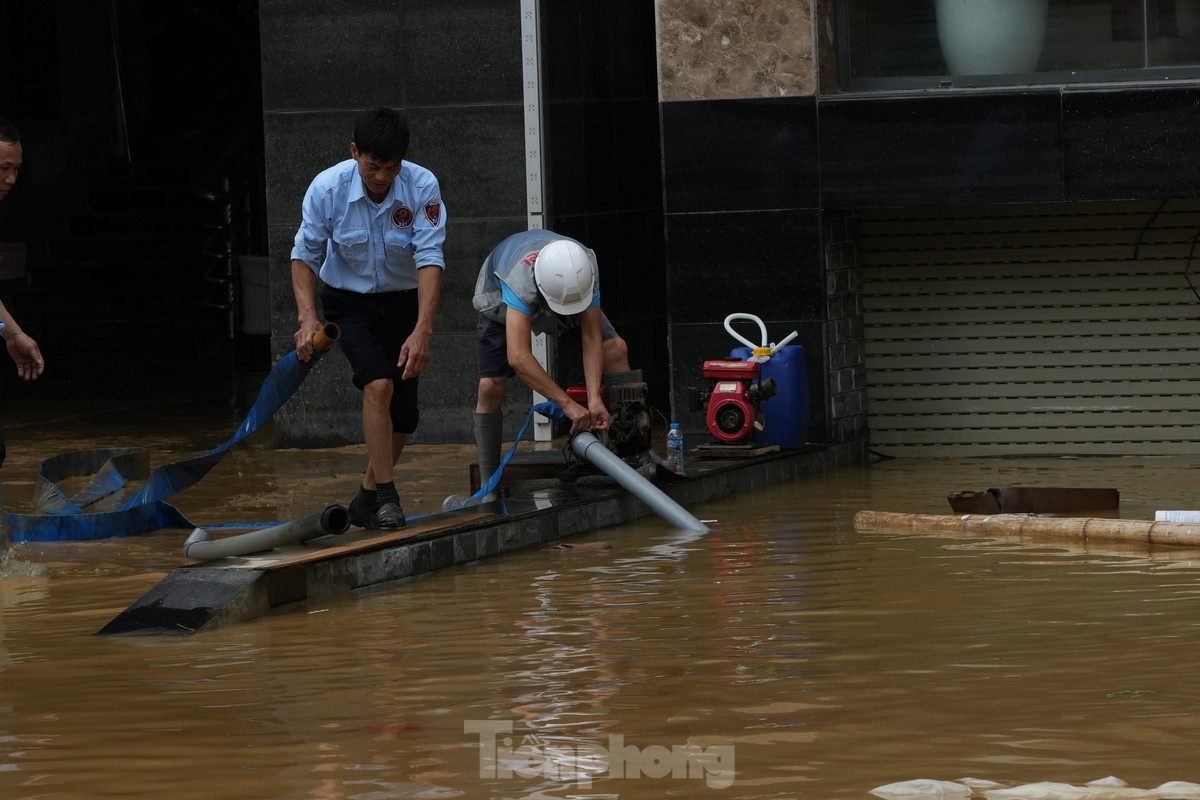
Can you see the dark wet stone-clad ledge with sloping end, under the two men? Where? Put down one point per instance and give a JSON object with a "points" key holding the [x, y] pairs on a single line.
{"points": [[207, 597]]}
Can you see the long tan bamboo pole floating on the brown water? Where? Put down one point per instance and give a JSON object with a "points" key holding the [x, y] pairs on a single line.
{"points": [[1011, 525]]}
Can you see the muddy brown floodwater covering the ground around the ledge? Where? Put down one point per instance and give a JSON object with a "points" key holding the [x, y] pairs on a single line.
{"points": [[781, 655]]}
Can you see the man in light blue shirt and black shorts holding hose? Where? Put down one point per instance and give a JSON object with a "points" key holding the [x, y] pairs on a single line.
{"points": [[371, 234]]}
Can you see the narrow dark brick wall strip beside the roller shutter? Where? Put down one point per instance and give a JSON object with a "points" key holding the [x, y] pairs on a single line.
{"points": [[844, 329]]}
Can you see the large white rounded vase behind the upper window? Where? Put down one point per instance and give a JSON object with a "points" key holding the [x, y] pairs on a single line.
{"points": [[992, 37]]}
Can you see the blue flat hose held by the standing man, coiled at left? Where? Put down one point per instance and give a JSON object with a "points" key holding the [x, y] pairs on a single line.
{"points": [[62, 519]]}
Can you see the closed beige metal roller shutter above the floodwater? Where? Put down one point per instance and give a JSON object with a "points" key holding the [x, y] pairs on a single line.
{"points": [[1033, 329]]}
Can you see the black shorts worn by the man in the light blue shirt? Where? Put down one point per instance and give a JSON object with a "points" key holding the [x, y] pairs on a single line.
{"points": [[374, 329]]}
